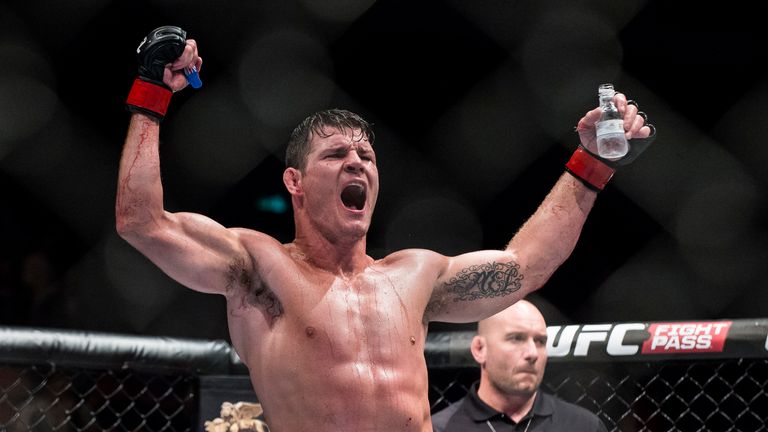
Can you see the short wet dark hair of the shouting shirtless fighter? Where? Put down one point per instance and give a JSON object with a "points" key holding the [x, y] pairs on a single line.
{"points": [[298, 143]]}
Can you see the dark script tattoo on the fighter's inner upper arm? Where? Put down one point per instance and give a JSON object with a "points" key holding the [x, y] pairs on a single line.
{"points": [[493, 279]]}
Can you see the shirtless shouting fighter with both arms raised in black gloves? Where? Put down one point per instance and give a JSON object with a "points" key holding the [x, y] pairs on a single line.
{"points": [[334, 339]]}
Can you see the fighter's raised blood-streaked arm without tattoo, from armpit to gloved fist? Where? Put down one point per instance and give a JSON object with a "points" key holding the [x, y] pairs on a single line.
{"points": [[192, 249]]}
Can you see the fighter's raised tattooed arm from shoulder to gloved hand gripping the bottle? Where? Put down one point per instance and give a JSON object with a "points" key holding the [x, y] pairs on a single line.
{"points": [[479, 284]]}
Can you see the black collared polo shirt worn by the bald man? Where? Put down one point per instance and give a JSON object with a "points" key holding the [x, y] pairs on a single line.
{"points": [[549, 413]]}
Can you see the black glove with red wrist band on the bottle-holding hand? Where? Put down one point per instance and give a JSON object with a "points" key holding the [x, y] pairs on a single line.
{"points": [[594, 171]]}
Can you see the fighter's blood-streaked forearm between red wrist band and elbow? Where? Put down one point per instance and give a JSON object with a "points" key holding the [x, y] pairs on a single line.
{"points": [[139, 190]]}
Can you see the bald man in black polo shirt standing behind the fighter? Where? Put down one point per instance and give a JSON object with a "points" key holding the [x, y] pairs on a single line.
{"points": [[511, 349]]}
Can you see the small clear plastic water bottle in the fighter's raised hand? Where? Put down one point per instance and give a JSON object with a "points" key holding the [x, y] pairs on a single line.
{"points": [[611, 142]]}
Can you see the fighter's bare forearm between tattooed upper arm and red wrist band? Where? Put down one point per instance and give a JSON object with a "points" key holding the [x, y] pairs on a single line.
{"points": [[546, 240]]}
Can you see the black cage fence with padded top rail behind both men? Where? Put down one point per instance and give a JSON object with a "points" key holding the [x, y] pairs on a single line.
{"points": [[76, 381]]}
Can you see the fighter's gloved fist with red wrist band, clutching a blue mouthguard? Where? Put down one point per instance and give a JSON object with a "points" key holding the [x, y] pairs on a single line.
{"points": [[163, 55]]}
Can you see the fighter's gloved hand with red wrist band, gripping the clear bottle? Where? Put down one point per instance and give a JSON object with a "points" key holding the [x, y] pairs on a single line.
{"points": [[594, 171]]}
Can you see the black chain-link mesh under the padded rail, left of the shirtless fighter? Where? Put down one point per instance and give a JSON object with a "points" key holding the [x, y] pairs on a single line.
{"points": [[44, 397]]}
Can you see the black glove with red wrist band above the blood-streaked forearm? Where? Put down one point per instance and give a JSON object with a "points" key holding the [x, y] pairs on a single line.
{"points": [[149, 95]]}
